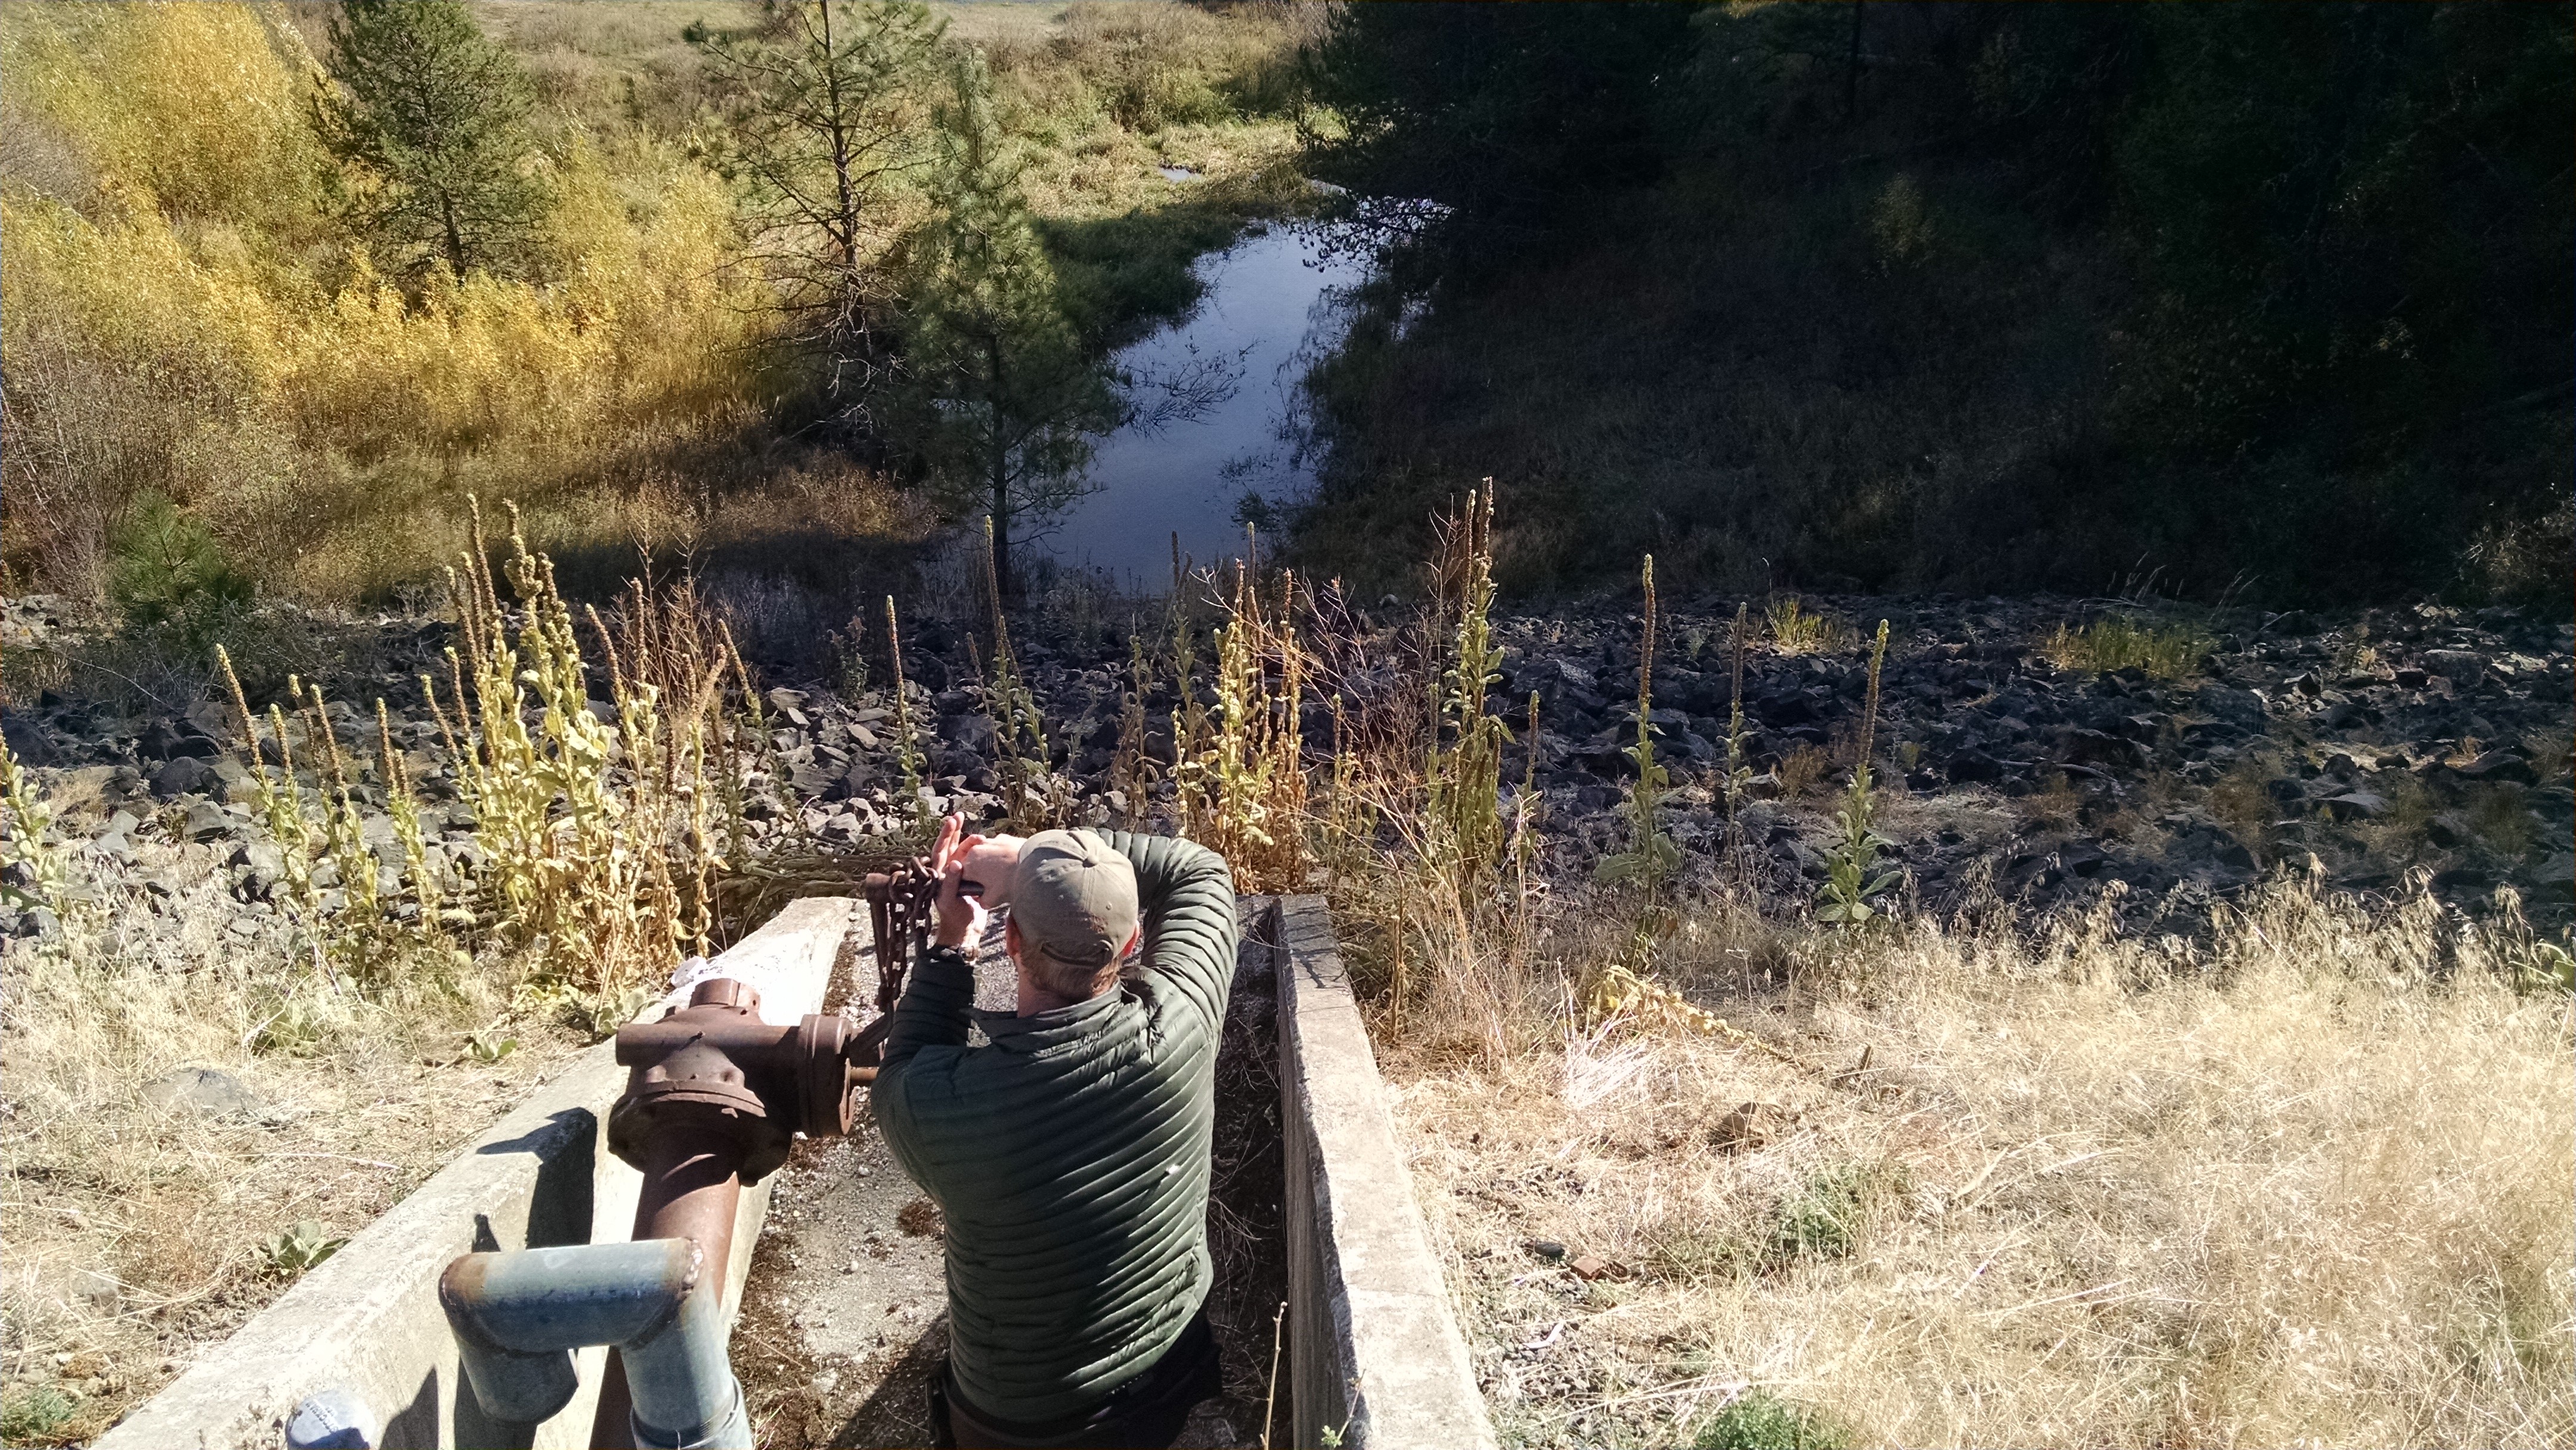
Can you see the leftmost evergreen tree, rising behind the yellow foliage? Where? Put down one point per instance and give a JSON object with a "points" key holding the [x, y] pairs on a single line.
{"points": [[431, 122]]}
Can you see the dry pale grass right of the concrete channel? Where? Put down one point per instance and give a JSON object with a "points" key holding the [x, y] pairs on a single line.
{"points": [[2294, 1189]]}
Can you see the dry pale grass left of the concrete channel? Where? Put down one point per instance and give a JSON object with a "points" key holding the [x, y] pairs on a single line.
{"points": [[362, 1104]]}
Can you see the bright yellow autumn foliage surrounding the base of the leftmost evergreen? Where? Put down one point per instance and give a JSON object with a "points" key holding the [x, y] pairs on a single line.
{"points": [[179, 323]]}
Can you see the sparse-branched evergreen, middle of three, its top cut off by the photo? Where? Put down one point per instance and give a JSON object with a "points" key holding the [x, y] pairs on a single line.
{"points": [[826, 127]]}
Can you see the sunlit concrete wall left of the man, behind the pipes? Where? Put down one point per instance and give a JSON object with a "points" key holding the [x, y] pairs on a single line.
{"points": [[370, 1325]]}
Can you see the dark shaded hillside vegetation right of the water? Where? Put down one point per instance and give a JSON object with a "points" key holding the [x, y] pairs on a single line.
{"points": [[1964, 297]]}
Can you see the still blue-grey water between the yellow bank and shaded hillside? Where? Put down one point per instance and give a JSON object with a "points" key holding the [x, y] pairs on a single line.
{"points": [[1269, 308]]}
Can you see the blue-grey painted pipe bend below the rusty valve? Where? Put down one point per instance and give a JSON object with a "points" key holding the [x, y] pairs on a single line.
{"points": [[519, 1317]]}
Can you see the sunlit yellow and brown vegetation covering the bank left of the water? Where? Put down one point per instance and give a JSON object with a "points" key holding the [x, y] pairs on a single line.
{"points": [[202, 323]]}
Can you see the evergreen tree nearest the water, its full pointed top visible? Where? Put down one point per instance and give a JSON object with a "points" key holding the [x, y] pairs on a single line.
{"points": [[1003, 395]]}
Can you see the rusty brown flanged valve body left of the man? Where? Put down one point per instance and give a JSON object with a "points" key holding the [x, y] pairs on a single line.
{"points": [[717, 1068]]}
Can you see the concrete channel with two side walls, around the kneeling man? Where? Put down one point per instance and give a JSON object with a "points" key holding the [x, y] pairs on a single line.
{"points": [[838, 1279]]}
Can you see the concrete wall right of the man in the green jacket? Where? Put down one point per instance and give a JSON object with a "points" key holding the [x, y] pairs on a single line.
{"points": [[1374, 1351]]}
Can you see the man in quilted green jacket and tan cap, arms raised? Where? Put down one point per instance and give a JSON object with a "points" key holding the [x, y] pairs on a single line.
{"points": [[1068, 1155]]}
